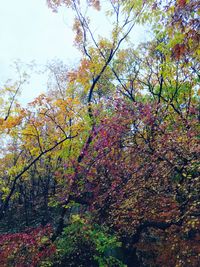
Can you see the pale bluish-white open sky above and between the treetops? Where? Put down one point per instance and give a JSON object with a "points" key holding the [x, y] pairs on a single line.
{"points": [[30, 31]]}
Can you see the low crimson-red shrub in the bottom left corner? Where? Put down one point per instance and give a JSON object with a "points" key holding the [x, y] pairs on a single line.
{"points": [[30, 248]]}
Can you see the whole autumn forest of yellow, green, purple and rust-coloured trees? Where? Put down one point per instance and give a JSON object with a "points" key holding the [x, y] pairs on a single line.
{"points": [[102, 169]]}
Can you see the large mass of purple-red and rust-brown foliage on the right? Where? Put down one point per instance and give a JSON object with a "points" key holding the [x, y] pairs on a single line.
{"points": [[148, 188]]}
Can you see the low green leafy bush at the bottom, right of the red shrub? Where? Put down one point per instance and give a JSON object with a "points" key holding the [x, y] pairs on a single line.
{"points": [[83, 244]]}
